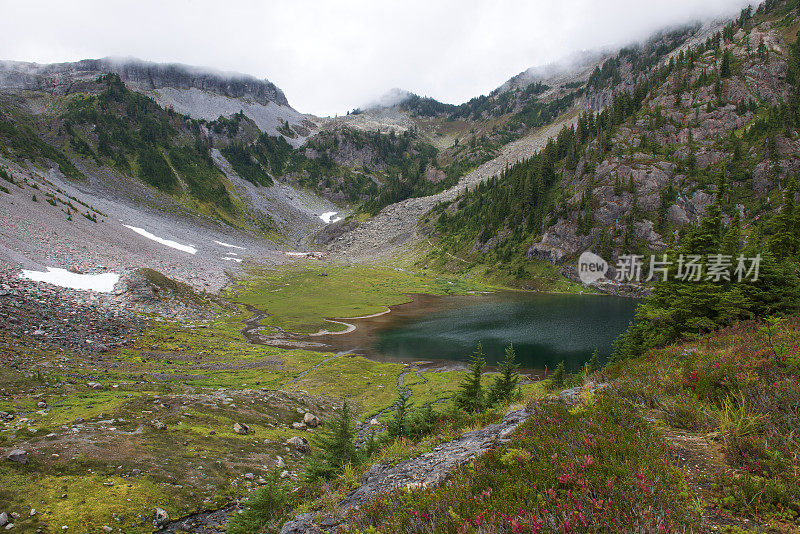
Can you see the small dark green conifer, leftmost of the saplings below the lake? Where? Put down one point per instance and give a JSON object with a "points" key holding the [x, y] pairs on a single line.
{"points": [[335, 446]]}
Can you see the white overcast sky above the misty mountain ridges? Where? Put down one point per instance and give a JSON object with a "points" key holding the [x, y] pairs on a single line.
{"points": [[332, 56]]}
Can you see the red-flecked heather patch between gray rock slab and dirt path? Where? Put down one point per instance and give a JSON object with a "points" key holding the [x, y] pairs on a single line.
{"points": [[602, 468]]}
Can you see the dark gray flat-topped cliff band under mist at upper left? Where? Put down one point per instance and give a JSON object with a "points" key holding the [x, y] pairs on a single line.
{"points": [[59, 78]]}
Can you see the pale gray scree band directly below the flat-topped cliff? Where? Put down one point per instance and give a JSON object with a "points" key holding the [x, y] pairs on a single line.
{"points": [[201, 104]]}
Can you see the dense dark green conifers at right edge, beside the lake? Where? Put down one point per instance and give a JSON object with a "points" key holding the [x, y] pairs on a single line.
{"points": [[677, 308]]}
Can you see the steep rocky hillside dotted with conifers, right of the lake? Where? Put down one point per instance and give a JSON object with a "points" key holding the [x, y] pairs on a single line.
{"points": [[667, 125]]}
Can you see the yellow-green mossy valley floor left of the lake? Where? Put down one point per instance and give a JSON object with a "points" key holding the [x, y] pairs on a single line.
{"points": [[96, 457]]}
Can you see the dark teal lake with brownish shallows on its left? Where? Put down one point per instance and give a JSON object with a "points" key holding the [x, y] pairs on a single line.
{"points": [[545, 329]]}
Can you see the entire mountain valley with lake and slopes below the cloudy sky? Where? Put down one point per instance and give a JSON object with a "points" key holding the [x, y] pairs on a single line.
{"points": [[218, 313]]}
